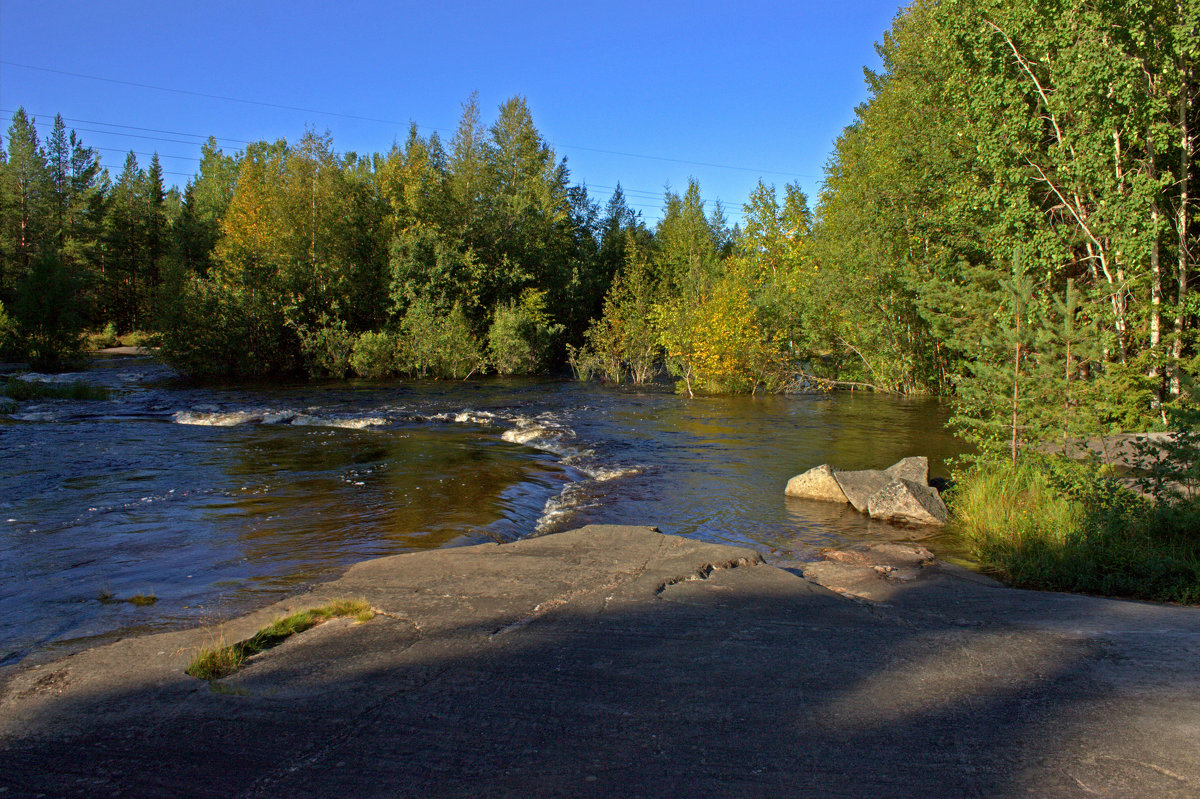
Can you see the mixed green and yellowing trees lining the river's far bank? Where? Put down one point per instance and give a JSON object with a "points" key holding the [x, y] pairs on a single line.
{"points": [[434, 260]]}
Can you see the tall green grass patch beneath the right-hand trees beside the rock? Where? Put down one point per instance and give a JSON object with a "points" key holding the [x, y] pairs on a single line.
{"points": [[1055, 525]]}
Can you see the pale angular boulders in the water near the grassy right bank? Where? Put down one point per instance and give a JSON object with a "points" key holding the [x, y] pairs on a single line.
{"points": [[899, 494]]}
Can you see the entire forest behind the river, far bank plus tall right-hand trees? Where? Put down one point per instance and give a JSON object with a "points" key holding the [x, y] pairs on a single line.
{"points": [[1010, 221]]}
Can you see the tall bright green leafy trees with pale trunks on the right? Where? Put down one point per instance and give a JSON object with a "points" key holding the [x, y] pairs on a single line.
{"points": [[1013, 213]]}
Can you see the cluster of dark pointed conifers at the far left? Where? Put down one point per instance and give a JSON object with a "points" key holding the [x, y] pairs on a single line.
{"points": [[75, 245]]}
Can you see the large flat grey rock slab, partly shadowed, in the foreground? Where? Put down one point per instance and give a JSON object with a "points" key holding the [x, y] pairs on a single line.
{"points": [[619, 662]]}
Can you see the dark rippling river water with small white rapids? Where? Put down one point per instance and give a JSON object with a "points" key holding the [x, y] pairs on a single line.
{"points": [[219, 501]]}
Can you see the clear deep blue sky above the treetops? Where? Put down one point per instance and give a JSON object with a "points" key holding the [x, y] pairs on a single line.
{"points": [[647, 94]]}
